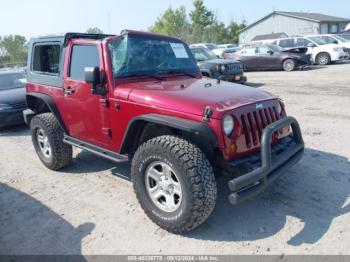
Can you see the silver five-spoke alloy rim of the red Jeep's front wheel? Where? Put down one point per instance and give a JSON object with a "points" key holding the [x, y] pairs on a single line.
{"points": [[163, 186]]}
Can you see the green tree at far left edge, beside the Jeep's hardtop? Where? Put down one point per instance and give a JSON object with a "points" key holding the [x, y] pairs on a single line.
{"points": [[15, 48]]}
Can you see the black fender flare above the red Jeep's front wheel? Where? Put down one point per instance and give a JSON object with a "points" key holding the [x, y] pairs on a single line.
{"points": [[198, 131]]}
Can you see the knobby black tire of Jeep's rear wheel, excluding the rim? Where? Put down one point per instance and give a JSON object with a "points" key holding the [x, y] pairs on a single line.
{"points": [[61, 153]]}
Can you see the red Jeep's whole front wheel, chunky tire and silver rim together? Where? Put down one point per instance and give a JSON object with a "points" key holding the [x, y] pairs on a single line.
{"points": [[174, 183]]}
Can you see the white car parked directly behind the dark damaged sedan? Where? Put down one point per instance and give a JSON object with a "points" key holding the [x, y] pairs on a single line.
{"points": [[321, 52]]}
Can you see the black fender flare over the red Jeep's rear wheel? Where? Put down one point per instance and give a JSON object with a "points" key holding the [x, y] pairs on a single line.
{"points": [[49, 102]]}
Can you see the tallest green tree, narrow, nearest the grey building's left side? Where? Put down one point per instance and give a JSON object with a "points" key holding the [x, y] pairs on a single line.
{"points": [[201, 18]]}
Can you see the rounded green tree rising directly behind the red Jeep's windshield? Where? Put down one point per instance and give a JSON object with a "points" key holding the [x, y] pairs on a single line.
{"points": [[173, 23]]}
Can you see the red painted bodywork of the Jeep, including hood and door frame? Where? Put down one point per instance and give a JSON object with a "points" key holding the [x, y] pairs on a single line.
{"points": [[88, 117]]}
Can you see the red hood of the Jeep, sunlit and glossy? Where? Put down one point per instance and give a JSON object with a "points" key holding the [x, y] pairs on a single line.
{"points": [[192, 96]]}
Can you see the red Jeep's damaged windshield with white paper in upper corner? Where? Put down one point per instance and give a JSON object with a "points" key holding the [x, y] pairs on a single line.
{"points": [[135, 55]]}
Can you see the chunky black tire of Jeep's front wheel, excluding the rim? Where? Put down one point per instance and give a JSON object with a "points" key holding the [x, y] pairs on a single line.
{"points": [[195, 174]]}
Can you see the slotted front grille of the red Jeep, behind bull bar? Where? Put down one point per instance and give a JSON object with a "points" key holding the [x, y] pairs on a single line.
{"points": [[255, 122]]}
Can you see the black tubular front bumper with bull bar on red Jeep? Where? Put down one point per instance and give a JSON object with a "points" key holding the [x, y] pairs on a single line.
{"points": [[274, 161]]}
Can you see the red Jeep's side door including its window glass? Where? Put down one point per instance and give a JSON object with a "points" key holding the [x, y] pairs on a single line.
{"points": [[85, 114]]}
